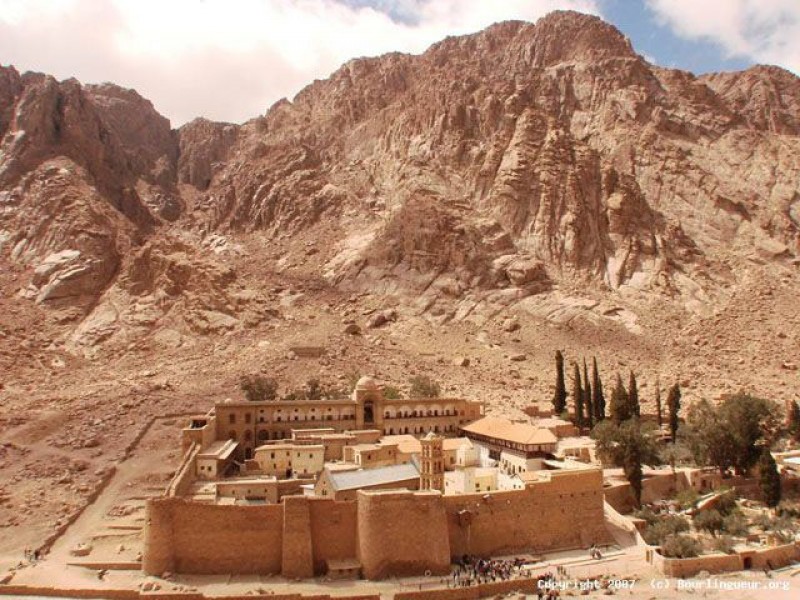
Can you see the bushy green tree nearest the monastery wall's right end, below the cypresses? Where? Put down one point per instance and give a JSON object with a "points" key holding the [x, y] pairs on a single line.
{"points": [[626, 446]]}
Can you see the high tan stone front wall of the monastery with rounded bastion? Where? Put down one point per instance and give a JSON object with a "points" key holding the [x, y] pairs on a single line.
{"points": [[393, 532]]}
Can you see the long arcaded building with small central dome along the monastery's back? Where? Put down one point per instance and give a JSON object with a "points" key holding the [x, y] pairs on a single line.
{"points": [[252, 424]]}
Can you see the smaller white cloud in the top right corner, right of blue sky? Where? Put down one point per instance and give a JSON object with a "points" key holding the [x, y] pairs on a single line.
{"points": [[766, 31]]}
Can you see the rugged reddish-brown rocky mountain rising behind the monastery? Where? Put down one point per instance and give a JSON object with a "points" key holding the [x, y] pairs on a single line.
{"points": [[544, 170]]}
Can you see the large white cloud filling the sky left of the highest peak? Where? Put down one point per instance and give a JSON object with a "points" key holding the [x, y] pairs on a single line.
{"points": [[230, 59]]}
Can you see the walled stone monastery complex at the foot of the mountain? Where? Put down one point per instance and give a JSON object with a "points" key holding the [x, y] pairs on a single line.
{"points": [[369, 487]]}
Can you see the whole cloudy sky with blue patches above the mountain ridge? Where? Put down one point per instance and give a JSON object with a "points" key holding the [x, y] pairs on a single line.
{"points": [[229, 60]]}
